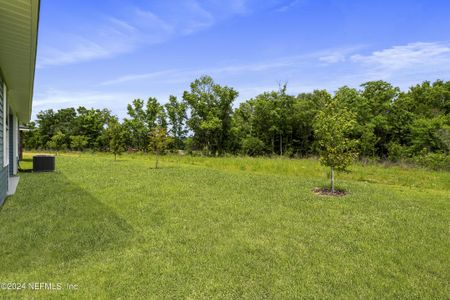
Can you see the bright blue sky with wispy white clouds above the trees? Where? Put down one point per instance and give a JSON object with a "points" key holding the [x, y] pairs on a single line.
{"points": [[104, 54]]}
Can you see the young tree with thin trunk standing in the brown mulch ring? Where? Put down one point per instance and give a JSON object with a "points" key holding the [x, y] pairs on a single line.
{"points": [[332, 127]]}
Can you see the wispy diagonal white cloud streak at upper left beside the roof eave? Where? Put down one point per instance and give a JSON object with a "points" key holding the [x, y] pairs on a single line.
{"points": [[136, 27]]}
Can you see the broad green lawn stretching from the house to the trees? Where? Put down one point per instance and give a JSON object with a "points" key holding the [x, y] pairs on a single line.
{"points": [[226, 228]]}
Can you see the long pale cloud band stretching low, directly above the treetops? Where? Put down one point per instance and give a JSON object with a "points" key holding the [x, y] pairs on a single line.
{"points": [[329, 69]]}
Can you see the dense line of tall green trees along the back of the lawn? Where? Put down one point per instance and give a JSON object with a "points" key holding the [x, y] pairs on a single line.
{"points": [[388, 123]]}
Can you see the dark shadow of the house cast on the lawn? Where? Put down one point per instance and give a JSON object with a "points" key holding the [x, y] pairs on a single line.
{"points": [[51, 221]]}
